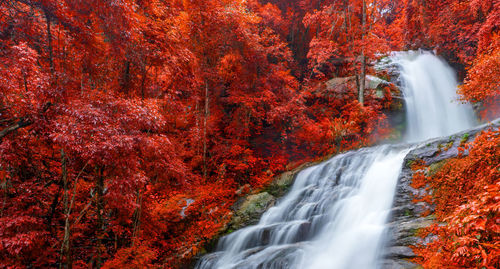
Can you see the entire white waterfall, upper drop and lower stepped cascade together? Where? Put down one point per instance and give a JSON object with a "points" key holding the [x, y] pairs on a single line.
{"points": [[334, 215]]}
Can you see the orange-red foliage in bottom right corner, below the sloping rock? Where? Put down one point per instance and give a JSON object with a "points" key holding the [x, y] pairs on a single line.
{"points": [[466, 194]]}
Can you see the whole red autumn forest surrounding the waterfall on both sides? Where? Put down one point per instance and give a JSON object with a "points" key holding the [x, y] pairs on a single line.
{"points": [[128, 128]]}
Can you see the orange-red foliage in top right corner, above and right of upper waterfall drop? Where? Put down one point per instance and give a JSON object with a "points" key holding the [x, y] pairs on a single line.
{"points": [[467, 34]]}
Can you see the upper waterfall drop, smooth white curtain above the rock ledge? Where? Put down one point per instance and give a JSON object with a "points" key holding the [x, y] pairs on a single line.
{"points": [[429, 87]]}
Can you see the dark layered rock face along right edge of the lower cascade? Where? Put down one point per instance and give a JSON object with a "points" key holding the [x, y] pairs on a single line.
{"points": [[406, 217]]}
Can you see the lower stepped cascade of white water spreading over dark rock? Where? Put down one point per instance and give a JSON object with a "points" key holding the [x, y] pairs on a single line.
{"points": [[333, 217]]}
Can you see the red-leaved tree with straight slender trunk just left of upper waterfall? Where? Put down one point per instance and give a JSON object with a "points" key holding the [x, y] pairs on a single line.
{"points": [[346, 33]]}
